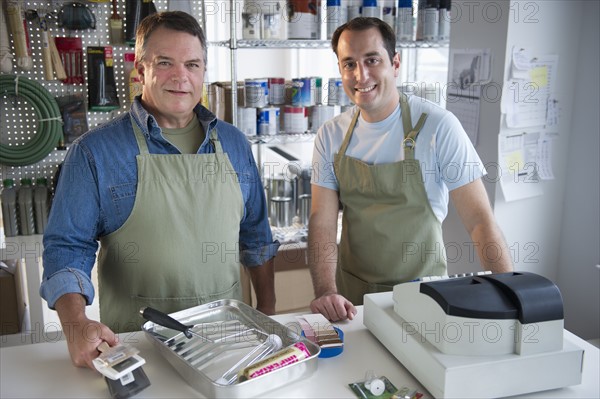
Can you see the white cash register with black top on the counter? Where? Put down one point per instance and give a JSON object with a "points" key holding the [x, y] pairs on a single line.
{"points": [[480, 335]]}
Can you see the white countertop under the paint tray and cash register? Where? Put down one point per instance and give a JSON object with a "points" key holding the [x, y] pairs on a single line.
{"points": [[45, 371]]}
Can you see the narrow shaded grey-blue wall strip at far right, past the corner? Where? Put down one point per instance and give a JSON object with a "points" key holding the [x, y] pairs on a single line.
{"points": [[579, 249]]}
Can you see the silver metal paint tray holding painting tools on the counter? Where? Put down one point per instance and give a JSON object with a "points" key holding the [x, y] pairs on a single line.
{"points": [[234, 331]]}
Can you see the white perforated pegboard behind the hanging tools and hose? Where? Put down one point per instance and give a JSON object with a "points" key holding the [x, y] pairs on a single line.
{"points": [[18, 123]]}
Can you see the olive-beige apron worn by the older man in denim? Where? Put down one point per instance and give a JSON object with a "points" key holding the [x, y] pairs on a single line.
{"points": [[179, 247]]}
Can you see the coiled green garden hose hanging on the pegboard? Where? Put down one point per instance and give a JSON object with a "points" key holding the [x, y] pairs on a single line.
{"points": [[49, 132]]}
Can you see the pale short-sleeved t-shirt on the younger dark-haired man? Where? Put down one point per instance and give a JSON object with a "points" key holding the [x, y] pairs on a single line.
{"points": [[447, 157]]}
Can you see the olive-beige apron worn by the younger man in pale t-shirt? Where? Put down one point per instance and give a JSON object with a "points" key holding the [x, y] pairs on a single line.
{"points": [[389, 231]]}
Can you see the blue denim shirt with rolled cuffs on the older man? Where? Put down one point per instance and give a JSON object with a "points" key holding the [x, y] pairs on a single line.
{"points": [[97, 188]]}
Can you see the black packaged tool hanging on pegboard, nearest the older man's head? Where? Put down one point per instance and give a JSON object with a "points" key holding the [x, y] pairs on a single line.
{"points": [[102, 90]]}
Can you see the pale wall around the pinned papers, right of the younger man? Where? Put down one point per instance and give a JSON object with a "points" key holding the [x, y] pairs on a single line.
{"points": [[555, 235]]}
